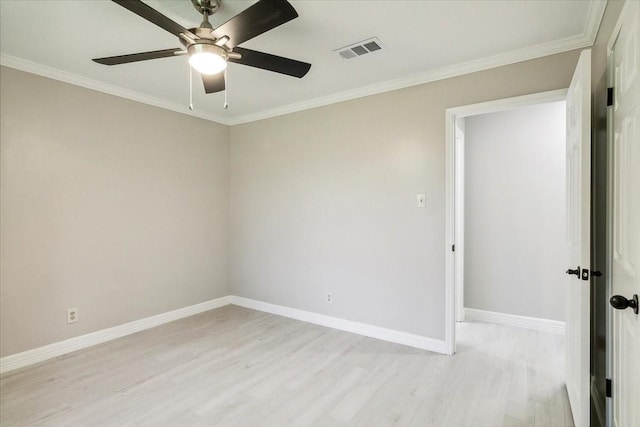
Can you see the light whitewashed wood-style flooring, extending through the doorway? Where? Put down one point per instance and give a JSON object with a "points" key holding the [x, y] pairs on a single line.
{"points": [[238, 367]]}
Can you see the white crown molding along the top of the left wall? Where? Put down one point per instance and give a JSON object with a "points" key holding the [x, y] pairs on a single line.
{"points": [[78, 80]]}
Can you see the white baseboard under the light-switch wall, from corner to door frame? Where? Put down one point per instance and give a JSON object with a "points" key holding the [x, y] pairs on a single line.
{"points": [[384, 334]]}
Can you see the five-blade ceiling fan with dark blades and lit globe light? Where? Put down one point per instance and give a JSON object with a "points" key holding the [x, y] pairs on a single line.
{"points": [[209, 49]]}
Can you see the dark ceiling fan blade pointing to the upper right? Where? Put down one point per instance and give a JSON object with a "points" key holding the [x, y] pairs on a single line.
{"points": [[255, 20]]}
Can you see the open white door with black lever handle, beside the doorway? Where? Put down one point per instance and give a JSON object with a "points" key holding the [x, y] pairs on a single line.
{"points": [[578, 193]]}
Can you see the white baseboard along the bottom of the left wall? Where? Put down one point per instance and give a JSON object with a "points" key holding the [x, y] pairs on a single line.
{"points": [[50, 351]]}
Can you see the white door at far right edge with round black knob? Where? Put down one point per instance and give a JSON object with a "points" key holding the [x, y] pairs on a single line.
{"points": [[626, 219]]}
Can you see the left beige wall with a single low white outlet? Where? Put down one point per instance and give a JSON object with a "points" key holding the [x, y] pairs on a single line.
{"points": [[108, 205]]}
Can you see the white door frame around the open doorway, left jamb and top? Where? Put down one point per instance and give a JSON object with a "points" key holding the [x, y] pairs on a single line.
{"points": [[454, 199]]}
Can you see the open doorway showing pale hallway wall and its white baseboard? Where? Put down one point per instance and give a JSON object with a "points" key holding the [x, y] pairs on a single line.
{"points": [[502, 255]]}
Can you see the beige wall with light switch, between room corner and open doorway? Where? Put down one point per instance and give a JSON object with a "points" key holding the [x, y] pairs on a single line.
{"points": [[324, 200]]}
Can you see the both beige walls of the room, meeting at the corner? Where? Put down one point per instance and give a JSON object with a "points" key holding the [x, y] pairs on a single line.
{"points": [[124, 210]]}
